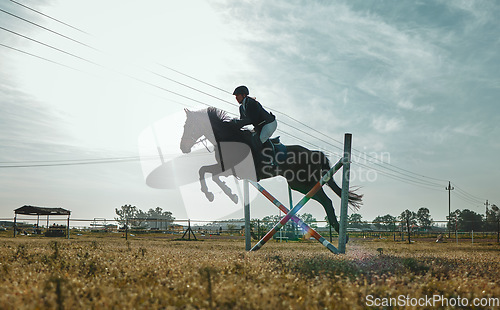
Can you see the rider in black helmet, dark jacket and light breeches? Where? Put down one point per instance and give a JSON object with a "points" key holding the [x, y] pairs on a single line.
{"points": [[252, 112]]}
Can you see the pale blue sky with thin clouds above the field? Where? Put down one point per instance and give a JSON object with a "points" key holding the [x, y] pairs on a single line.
{"points": [[416, 83]]}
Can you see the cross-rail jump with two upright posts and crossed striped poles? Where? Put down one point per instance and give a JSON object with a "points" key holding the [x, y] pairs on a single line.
{"points": [[345, 163]]}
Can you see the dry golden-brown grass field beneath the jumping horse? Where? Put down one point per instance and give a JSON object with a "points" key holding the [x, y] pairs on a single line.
{"points": [[112, 273]]}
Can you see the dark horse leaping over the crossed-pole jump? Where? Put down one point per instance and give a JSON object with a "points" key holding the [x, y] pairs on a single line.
{"points": [[302, 168]]}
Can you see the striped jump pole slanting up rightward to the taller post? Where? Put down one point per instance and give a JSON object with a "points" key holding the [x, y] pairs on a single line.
{"points": [[299, 206]]}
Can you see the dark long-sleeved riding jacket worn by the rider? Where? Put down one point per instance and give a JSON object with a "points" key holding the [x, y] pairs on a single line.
{"points": [[252, 112]]}
